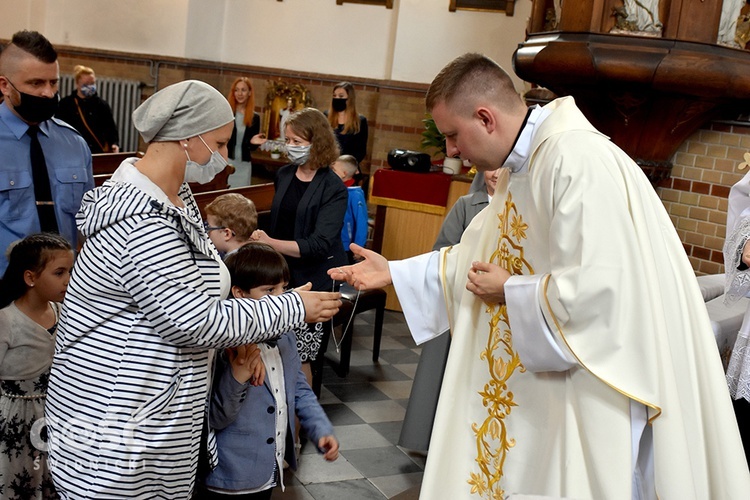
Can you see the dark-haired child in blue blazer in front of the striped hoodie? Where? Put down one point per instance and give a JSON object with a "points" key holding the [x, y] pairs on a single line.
{"points": [[243, 414]]}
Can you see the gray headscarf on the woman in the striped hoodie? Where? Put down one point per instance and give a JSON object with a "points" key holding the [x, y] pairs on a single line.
{"points": [[180, 111]]}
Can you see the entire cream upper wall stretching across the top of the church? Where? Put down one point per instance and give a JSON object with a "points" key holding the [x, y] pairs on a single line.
{"points": [[410, 42]]}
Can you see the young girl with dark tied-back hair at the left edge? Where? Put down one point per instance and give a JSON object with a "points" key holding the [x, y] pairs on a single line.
{"points": [[32, 288]]}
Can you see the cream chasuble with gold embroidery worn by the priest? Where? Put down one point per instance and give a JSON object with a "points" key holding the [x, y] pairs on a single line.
{"points": [[619, 293]]}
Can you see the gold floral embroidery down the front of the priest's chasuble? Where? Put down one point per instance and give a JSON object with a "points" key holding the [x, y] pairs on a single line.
{"points": [[493, 442]]}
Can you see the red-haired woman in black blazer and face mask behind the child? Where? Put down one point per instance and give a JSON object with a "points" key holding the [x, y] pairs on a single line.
{"points": [[307, 213]]}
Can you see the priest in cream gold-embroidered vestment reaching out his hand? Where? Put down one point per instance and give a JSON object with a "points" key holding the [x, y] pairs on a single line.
{"points": [[582, 363]]}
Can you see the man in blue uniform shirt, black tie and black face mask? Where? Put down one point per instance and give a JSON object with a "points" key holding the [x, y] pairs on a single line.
{"points": [[29, 76]]}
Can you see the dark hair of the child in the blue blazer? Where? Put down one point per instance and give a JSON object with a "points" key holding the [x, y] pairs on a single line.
{"points": [[256, 264]]}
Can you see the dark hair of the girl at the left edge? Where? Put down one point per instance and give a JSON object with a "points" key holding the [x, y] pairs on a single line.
{"points": [[29, 254]]}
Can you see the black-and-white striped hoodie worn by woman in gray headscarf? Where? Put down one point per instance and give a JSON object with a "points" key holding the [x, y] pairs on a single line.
{"points": [[128, 387]]}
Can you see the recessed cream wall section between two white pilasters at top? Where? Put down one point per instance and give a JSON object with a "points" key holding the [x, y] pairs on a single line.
{"points": [[315, 36]]}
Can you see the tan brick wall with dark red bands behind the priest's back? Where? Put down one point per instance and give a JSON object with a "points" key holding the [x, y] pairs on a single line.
{"points": [[705, 168]]}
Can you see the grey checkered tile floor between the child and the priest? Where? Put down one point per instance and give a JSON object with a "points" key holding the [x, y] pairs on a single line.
{"points": [[366, 408]]}
